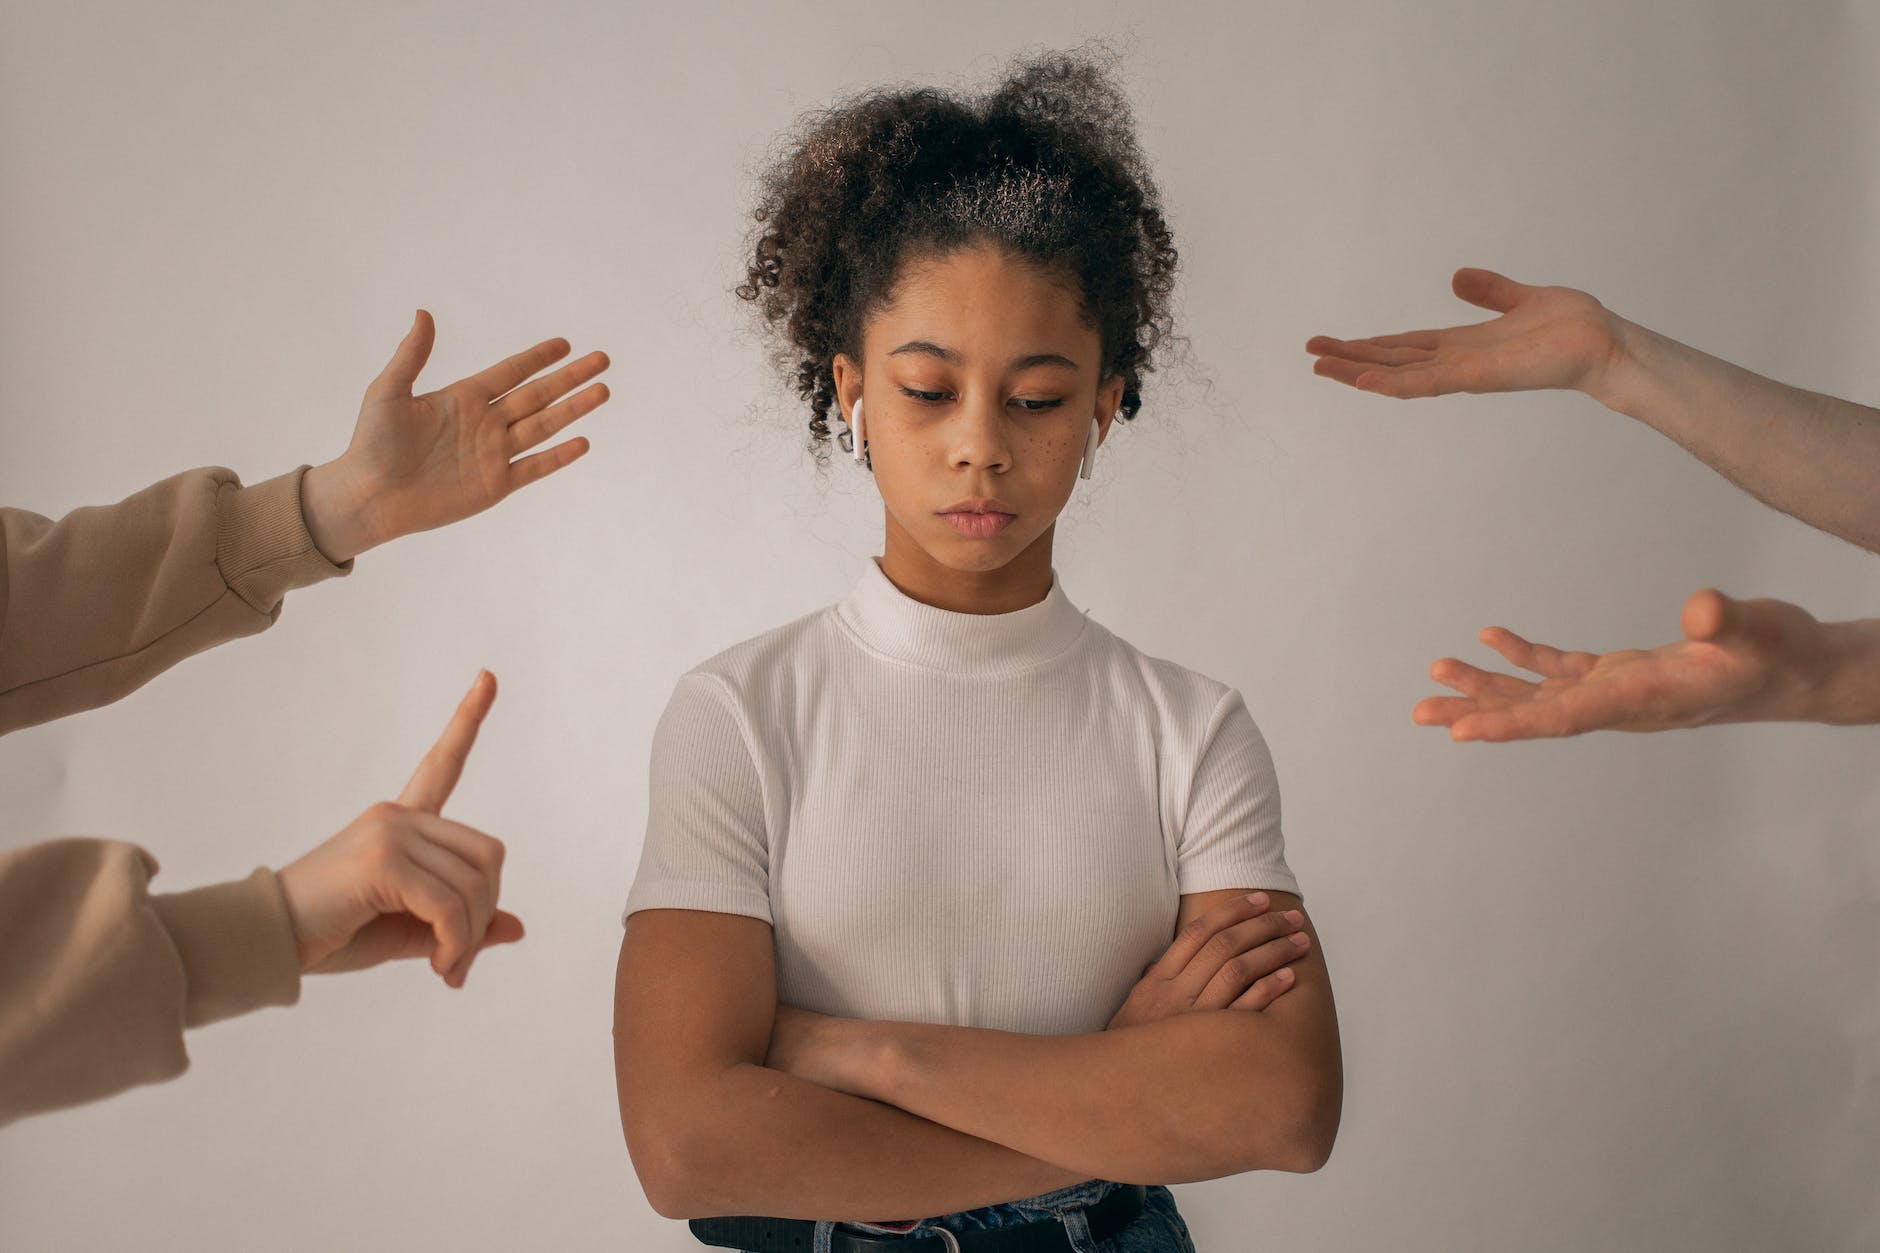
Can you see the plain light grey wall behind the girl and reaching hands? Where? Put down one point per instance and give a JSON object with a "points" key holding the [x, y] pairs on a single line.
{"points": [[1612, 992]]}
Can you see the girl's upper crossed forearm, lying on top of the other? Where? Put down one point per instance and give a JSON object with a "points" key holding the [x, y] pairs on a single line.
{"points": [[1193, 1098]]}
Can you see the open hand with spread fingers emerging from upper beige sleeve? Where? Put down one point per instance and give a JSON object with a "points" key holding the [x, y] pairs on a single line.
{"points": [[422, 462]]}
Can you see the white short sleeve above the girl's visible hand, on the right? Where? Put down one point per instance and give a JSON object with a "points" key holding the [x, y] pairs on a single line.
{"points": [[1230, 836]]}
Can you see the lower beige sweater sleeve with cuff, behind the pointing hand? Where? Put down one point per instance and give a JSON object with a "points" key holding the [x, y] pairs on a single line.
{"points": [[99, 977]]}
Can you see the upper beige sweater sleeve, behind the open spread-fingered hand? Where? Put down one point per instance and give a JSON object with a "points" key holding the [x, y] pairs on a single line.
{"points": [[102, 601]]}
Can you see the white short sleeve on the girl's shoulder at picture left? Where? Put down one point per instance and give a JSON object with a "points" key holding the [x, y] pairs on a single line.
{"points": [[706, 836]]}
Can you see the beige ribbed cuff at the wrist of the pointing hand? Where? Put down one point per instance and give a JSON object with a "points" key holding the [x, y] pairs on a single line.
{"points": [[238, 947]]}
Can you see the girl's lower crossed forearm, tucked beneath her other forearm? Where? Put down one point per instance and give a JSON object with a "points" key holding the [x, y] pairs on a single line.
{"points": [[787, 1149]]}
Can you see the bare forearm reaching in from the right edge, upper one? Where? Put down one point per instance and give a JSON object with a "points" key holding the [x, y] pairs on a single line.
{"points": [[1811, 456]]}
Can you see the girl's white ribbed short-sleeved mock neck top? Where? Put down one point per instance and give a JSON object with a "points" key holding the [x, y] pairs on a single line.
{"points": [[982, 821]]}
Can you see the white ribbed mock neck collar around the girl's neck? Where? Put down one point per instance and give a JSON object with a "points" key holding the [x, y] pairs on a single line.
{"points": [[984, 644]]}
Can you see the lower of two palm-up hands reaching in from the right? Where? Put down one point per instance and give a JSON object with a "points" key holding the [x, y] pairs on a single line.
{"points": [[1740, 661]]}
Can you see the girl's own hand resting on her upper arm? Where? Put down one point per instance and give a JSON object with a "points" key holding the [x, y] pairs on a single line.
{"points": [[1232, 957]]}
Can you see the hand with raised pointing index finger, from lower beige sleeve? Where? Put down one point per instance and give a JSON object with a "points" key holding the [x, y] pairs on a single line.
{"points": [[401, 881]]}
